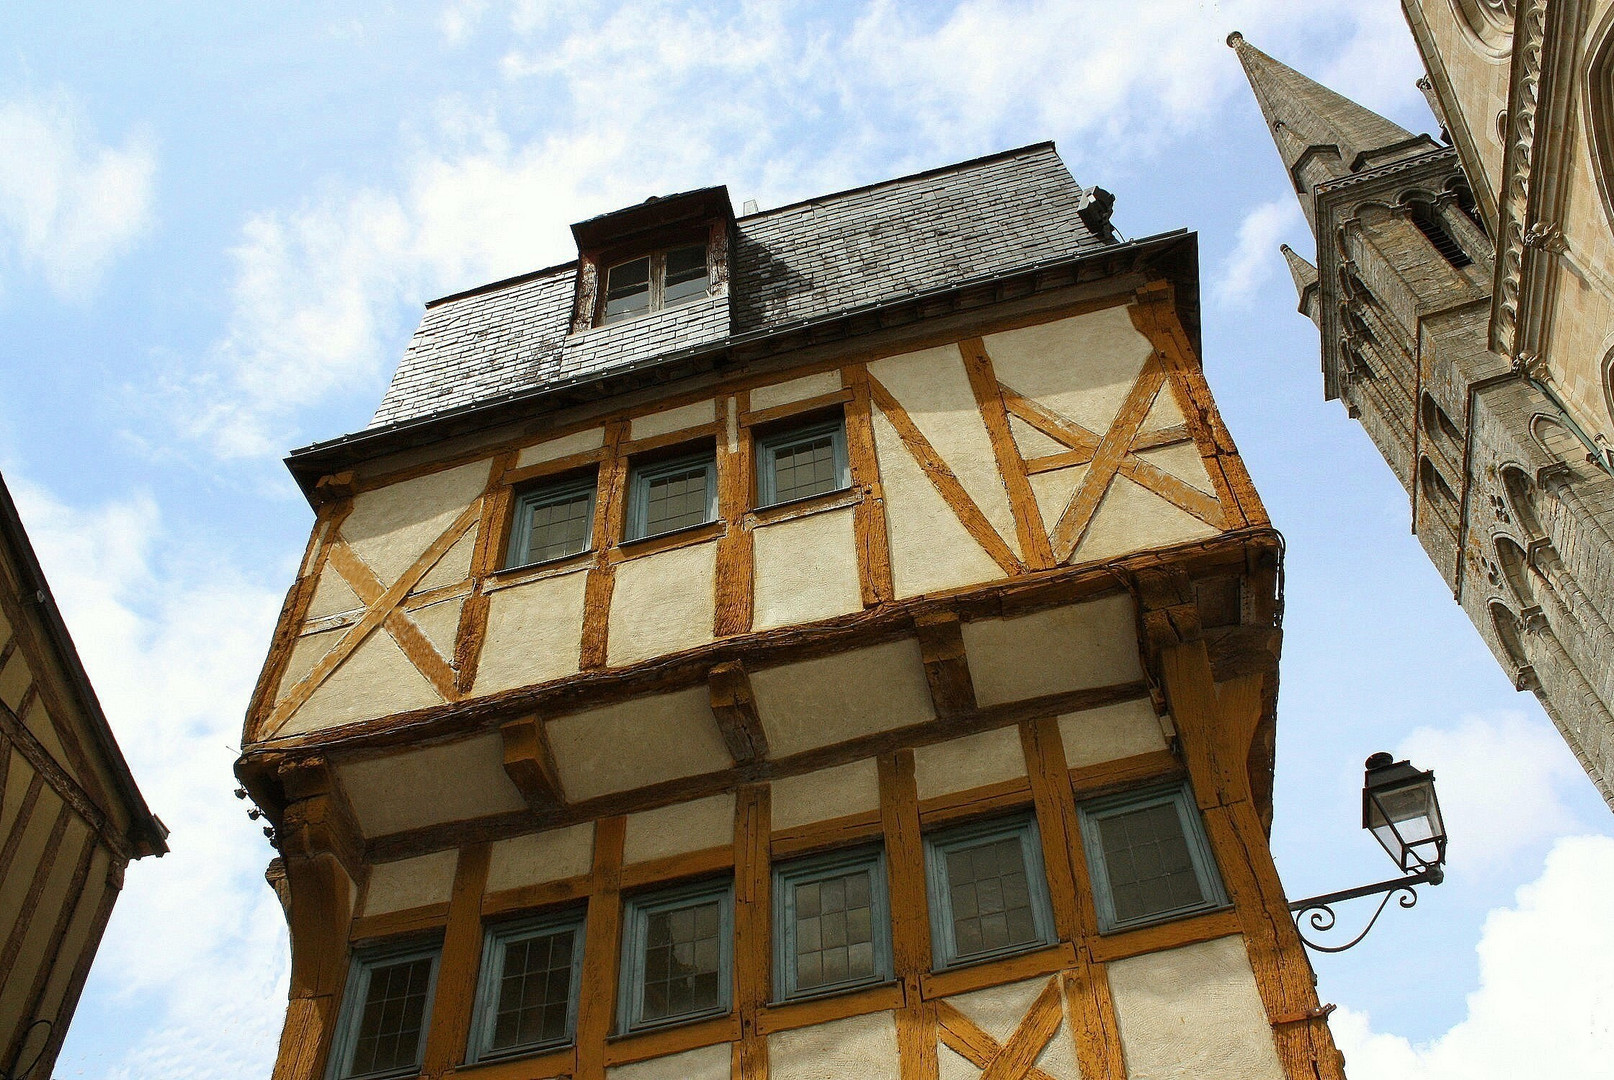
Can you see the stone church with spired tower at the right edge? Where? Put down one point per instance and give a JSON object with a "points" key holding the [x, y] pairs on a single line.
{"points": [[1473, 364]]}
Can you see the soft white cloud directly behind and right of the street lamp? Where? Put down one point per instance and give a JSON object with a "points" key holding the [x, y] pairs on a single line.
{"points": [[1491, 826]]}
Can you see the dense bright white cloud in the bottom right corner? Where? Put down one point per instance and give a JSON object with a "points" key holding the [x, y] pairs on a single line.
{"points": [[1545, 1003]]}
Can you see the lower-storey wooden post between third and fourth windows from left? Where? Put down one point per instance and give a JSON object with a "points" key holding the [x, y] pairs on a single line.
{"points": [[753, 927]]}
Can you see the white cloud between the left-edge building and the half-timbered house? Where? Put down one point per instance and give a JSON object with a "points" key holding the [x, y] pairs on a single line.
{"points": [[174, 638]]}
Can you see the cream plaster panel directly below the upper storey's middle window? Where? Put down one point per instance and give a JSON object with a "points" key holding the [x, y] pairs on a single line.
{"points": [[663, 603]]}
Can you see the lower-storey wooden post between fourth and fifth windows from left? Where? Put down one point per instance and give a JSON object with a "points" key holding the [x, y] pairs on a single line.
{"points": [[909, 915]]}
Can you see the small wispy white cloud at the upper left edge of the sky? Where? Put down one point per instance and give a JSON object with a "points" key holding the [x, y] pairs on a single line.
{"points": [[69, 204]]}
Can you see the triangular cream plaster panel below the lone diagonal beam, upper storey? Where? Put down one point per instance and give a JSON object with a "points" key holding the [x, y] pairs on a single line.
{"points": [[930, 550]]}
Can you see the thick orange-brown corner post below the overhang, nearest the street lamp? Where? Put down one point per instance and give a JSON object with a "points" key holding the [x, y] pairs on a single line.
{"points": [[1216, 726]]}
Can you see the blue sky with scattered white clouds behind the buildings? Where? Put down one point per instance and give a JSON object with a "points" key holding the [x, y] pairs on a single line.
{"points": [[219, 225]]}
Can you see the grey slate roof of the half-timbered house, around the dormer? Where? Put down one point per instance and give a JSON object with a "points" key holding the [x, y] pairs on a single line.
{"points": [[793, 264]]}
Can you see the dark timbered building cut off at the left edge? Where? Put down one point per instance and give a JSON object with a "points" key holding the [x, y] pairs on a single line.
{"points": [[70, 814]]}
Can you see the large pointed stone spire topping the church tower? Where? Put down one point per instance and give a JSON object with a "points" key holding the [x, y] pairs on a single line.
{"points": [[1319, 135]]}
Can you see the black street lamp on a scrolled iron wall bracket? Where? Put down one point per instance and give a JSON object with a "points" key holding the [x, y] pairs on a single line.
{"points": [[1403, 814]]}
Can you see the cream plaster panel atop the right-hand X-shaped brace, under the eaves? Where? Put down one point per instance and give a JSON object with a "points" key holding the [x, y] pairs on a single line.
{"points": [[1081, 367]]}
